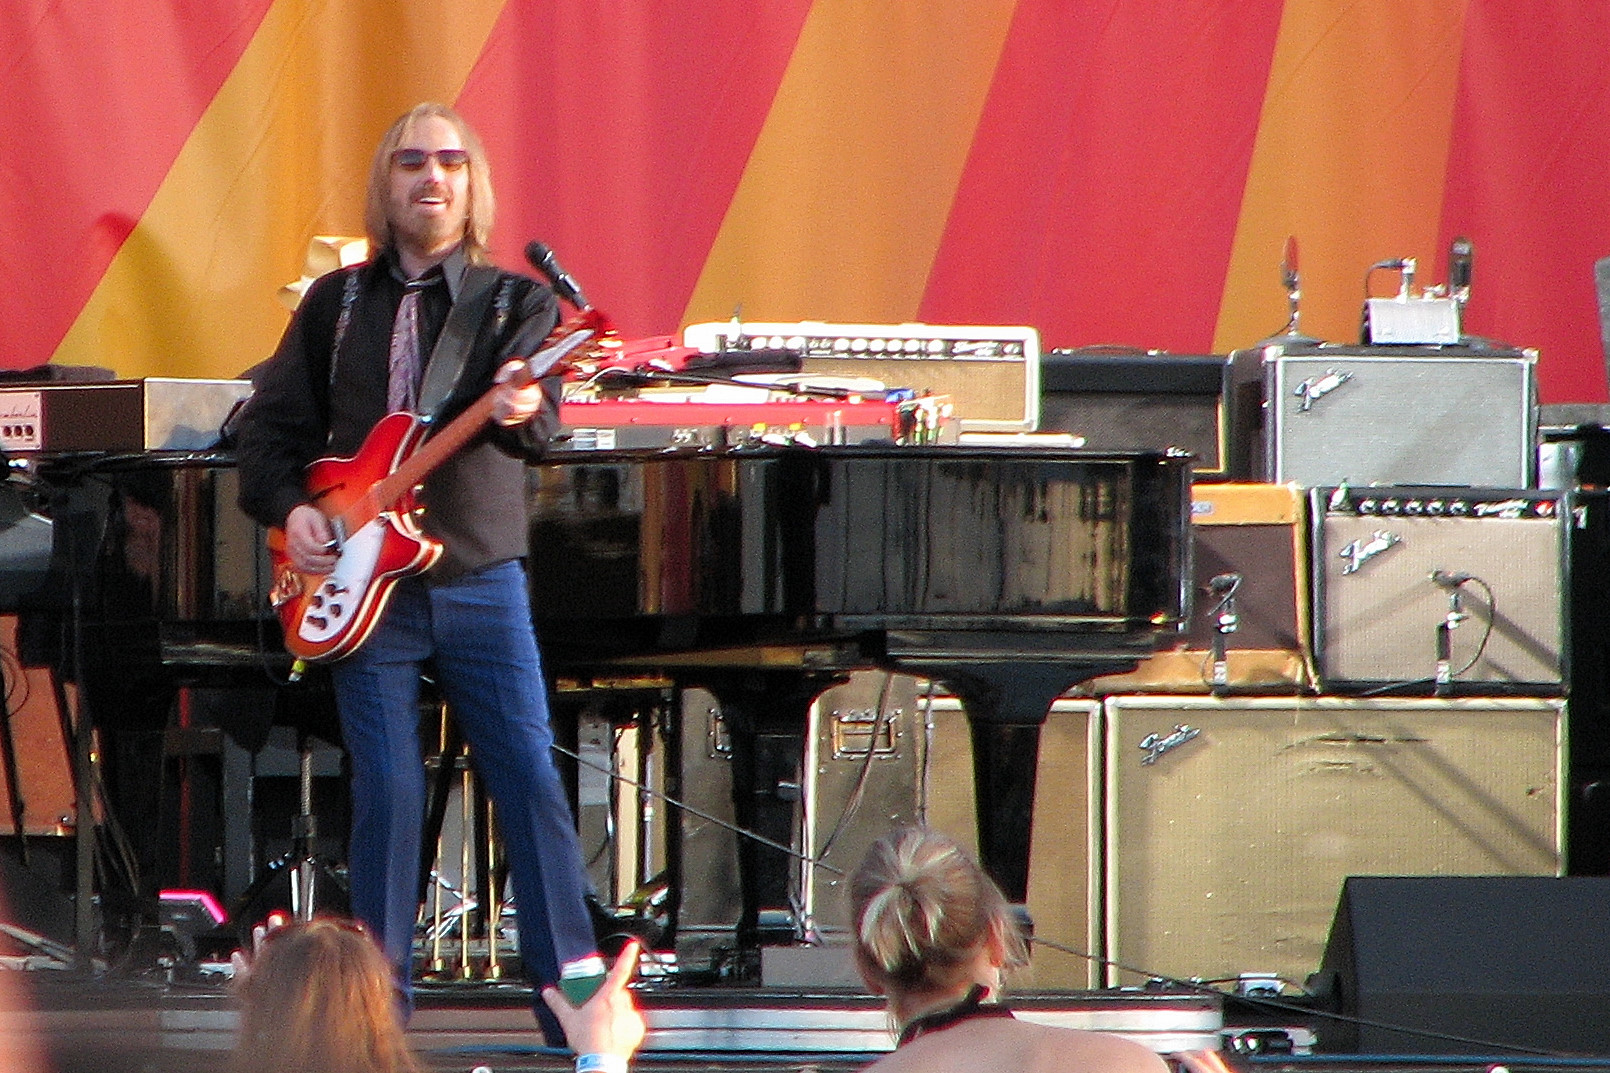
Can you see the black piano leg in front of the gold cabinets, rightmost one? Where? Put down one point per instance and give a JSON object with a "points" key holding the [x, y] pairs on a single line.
{"points": [[1007, 705]]}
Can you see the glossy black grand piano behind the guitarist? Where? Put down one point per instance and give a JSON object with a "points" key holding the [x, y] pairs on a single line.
{"points": [[762, 574]]}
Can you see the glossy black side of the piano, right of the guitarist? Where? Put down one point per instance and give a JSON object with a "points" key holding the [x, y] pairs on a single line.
{"points": [[799, 544]]}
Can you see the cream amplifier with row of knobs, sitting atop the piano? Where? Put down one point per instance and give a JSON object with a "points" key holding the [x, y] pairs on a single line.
{"points": [[993, 375]]}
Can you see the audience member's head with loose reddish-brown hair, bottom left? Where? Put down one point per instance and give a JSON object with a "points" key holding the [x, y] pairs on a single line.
{"points": [[320, 998]]}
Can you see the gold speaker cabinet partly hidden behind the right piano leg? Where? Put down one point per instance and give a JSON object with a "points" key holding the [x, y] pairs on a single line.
{"points": [[1063, 860]]}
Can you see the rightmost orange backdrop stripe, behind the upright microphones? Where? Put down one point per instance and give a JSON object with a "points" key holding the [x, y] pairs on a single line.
{"points": [[1352, 154]]}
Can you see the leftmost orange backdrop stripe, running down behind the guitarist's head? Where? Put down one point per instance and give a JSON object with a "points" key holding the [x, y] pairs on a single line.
{"points": [[281, 155]]}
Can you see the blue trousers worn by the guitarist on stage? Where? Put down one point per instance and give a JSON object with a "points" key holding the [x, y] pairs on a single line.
{"points": [[479, 632]]}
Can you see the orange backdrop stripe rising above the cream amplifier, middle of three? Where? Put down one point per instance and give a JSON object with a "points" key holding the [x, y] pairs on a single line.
{"points": [[846, 197]]}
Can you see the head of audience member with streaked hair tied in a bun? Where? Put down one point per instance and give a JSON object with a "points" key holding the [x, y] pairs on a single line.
{"points": [[923, 909]]}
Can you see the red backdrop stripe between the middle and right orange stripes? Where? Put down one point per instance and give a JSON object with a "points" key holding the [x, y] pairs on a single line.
{"points": [[1134, 125]]}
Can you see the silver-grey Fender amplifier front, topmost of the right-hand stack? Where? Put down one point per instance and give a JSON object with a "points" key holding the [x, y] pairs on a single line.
{"points": [[1400, 416]]}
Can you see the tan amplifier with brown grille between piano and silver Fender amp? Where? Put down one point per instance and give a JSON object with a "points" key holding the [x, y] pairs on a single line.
{"points": [[1253, 566]]}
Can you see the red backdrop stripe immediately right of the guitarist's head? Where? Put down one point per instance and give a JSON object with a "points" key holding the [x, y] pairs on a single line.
{"points": [[625, 155]]}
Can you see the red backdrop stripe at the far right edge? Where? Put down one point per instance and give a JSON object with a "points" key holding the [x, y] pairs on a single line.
{"points": [[1529, 189]]}
